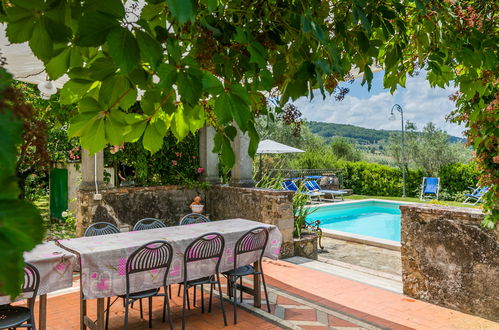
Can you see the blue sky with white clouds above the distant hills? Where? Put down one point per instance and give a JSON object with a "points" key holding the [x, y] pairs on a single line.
{"points": [[420, 103]]}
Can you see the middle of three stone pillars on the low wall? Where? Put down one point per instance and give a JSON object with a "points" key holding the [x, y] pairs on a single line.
{"points": [[207, 159]]}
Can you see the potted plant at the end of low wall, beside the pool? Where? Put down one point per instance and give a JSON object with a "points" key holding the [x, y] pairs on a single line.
{"points": [[306, 234]]}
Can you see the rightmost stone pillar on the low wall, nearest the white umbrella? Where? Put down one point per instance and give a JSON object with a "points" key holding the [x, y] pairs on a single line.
{"points": [[242, 172]]}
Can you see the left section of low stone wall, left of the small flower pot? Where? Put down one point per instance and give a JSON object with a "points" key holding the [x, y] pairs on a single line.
{"points": [[126, 206]]}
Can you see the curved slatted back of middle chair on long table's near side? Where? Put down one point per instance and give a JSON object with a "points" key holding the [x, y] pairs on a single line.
{"points": [[207, 246]]}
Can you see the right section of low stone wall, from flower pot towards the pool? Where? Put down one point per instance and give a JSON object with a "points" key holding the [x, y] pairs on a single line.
{"points": [[263, 205]]}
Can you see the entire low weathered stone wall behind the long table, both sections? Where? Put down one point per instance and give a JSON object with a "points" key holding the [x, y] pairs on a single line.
{"points": [[125, 206]]}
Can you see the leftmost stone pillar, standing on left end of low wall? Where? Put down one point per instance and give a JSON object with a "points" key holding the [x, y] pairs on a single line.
{"points": [[91, 165]]}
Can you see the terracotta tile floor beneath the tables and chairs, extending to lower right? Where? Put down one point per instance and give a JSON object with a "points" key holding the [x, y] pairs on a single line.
{"points": [[300, 298]]}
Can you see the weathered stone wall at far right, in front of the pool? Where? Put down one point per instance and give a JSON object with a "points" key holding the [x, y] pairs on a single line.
{"points": [[448, 259]]}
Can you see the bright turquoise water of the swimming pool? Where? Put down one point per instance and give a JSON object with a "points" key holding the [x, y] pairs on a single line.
{"points": [[372, 218]]}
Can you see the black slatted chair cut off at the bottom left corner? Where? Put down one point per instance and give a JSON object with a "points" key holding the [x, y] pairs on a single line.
{"points": [[16, 316]]}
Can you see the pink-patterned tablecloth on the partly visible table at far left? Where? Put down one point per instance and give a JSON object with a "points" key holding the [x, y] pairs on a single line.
{"points": [[55, 266]]}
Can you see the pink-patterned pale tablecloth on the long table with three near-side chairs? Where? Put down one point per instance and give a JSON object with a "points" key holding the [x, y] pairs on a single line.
{"points": [[103, 258]]}
